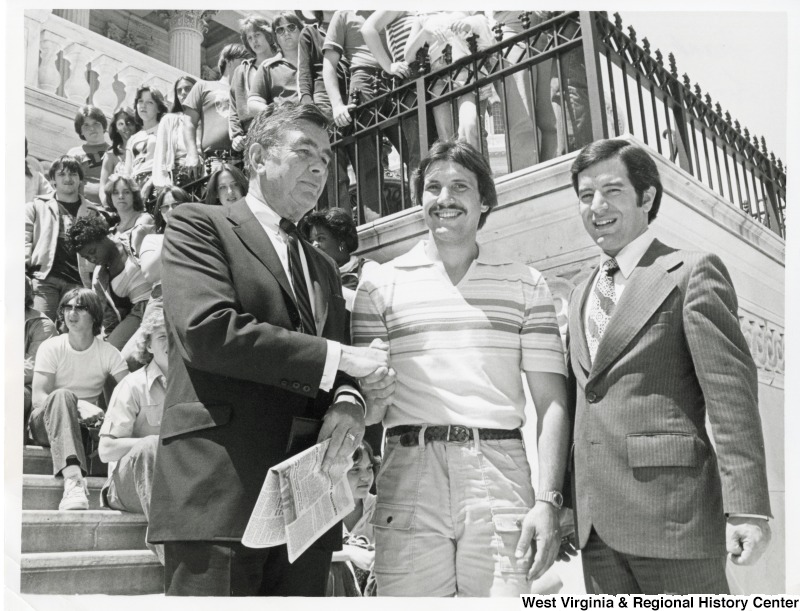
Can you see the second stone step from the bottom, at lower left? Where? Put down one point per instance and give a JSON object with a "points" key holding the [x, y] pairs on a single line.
{"points": [[79, 531]]}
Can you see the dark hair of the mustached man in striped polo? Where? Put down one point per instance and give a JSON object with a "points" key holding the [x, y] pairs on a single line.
{"points": [[469, 158]]}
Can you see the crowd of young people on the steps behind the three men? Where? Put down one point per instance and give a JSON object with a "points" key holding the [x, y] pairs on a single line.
{"points": [[95, 341]]}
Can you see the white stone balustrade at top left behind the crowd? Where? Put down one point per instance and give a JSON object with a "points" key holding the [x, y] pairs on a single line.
{"points": [[73, 63]]}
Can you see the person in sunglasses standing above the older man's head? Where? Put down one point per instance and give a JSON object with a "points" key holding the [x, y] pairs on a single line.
{"points": [[276, 79]]}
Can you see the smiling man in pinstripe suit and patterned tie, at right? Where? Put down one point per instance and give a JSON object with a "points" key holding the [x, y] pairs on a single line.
{"points": [[655, 346]]}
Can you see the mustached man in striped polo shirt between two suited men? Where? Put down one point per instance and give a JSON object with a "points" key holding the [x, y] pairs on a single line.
{"points": [[455, 512]]}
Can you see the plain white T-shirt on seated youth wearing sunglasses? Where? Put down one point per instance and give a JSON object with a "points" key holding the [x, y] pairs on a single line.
{"points": [[83, 372]]}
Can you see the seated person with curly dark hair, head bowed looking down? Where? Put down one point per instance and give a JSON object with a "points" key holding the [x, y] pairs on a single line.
{"points": [[118, 277]]}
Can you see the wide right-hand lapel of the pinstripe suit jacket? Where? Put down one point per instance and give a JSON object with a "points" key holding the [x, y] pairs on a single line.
{"points": [[647, 288]]}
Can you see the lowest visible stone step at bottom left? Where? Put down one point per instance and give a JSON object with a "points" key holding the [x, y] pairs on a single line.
{"points": [[100, 572]]}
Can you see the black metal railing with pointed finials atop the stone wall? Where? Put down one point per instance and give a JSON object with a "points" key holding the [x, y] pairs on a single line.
{"points": [[602, 84]]}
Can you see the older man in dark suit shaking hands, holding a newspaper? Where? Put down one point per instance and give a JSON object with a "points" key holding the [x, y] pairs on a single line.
{"points": [[256, 329]]}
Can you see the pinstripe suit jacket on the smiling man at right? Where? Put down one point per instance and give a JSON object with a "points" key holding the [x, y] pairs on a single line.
{"points": [[645, 473]]}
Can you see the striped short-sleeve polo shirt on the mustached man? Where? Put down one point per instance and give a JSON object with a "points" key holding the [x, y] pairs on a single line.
{"points": [[459, 350]]}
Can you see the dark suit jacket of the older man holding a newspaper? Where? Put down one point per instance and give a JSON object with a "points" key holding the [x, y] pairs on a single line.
{"points": [[239, 371]]}
